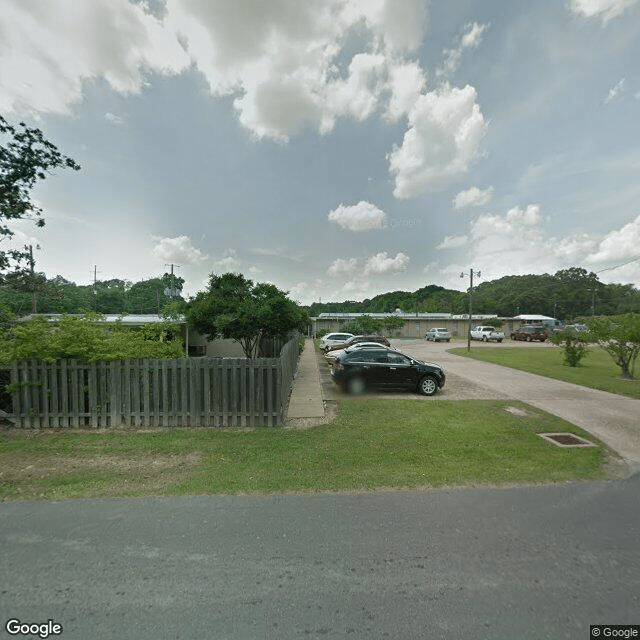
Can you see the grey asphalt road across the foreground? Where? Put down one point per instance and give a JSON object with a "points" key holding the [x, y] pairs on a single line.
{"points": [[541, 562]]}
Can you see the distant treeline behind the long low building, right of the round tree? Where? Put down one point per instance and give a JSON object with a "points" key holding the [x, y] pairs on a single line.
{"points": [[565, 295]]}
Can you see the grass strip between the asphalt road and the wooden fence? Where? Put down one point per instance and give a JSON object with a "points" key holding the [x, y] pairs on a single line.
{"points": [[372, 444]]}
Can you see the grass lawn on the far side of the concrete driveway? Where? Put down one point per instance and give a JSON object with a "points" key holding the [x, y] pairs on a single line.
{"points": [[597, 370]]}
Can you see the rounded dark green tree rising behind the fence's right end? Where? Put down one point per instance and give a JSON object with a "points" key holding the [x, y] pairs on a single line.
{"points": [[234, 307]]}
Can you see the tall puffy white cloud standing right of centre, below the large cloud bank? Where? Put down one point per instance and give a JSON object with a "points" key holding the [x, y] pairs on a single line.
{"points": [[445, 130]]}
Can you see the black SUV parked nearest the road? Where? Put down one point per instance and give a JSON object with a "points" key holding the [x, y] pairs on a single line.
{"points": [[359, 369]]}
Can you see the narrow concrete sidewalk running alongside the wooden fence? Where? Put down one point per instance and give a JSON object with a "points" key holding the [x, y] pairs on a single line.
{"points": [[306, 401]]}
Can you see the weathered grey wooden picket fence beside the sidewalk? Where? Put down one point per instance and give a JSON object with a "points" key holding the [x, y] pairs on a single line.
{"points": [[195, 392]]}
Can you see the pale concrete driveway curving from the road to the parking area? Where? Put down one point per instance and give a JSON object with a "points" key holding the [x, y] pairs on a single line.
{"points": [[614, 419]]}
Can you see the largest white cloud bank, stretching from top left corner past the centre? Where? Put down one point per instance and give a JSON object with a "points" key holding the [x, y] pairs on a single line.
{"points": [[279, 59]]}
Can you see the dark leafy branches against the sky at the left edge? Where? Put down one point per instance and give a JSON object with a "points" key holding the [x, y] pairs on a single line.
{"points": [[25, 158]]}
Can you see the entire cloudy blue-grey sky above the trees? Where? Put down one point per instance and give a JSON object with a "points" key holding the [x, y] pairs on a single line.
{"points": [[336, 148]]}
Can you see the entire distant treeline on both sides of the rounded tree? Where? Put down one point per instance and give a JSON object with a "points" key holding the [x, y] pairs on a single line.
{"points": [[565, 295]]}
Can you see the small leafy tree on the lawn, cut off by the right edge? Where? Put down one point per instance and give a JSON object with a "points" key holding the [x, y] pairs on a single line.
{"points": [[619, 336]]}
